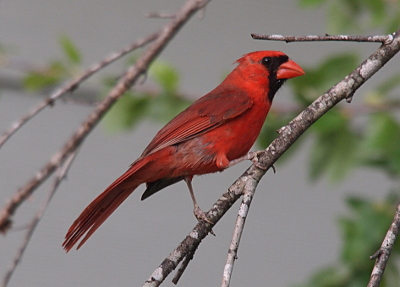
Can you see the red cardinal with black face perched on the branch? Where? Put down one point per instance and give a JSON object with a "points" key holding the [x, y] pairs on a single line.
{"points": [[207, 137]]}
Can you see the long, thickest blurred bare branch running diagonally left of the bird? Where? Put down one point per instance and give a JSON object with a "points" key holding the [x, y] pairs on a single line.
{"points": [[131, 76]]}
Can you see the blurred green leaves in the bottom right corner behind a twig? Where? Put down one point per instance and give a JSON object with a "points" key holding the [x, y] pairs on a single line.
{"points": [[362, 232]]}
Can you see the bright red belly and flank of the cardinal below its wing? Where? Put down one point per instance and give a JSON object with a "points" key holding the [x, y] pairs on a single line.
{"points": [[199, 155]]}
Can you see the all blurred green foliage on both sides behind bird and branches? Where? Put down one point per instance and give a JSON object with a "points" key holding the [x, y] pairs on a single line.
{"points": [[339, 145]]}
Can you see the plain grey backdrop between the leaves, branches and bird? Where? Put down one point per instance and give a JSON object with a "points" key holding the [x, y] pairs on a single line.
{"points": [[291, 228]]}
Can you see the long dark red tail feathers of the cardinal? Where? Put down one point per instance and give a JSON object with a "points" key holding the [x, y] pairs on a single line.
{"points": [[102, 207]]}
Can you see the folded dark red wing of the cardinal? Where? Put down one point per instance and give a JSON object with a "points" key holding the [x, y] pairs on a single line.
{"points": [[208, 112]]}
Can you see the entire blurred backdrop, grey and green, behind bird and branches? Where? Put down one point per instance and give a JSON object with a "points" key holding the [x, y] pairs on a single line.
{"points": [[313, 223]]}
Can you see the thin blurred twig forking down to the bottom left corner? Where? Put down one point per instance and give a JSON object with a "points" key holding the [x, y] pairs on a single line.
{"points": [[62, 172]]}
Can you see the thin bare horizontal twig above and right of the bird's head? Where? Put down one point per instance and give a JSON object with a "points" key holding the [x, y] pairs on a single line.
{"points": [[384, 39]]}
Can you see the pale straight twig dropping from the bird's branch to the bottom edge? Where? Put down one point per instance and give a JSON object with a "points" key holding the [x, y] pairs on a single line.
{"points": [[248, 194]]}
